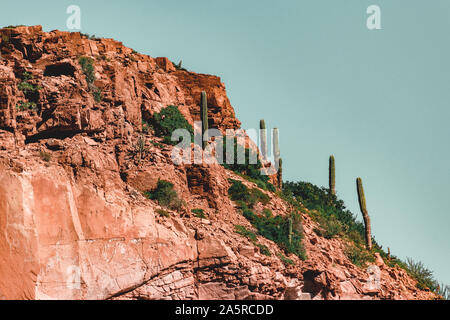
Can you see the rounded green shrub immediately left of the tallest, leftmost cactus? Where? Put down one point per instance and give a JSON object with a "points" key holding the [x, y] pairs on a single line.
{"points": [[167, 121]]}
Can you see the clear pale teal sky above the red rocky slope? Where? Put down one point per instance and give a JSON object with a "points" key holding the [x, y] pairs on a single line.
{"points": [[376, 99]]}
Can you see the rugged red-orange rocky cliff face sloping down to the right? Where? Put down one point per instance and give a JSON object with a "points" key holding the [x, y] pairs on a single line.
{"points": [[73, 221]]}
